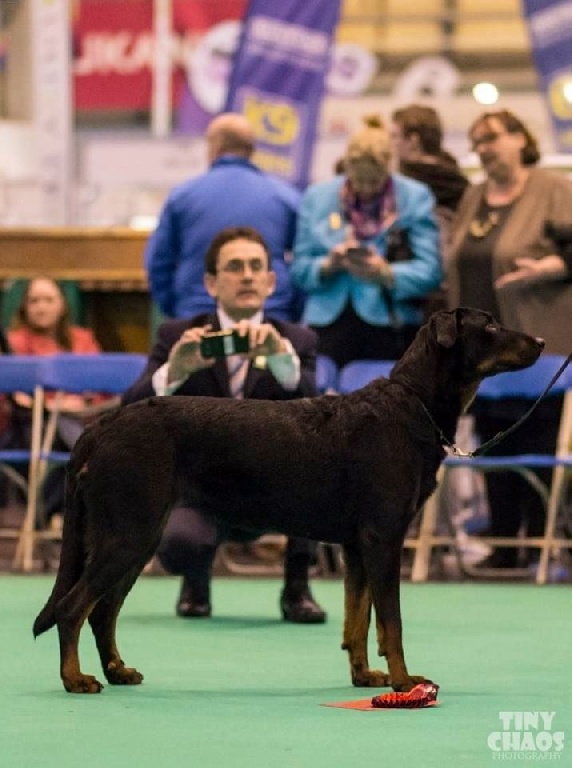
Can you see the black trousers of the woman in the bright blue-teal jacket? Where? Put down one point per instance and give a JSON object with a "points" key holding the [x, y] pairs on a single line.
{"points": [[351, 338]]}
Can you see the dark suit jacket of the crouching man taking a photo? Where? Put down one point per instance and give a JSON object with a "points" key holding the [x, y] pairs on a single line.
{"points": [[260, 384]]}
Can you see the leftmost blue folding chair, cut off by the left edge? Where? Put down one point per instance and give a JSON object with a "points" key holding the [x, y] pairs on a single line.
{"points": [[19, 373]]}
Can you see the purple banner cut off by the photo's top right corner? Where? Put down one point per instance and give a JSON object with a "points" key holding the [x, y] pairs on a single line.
{"points": [[550, 30]]}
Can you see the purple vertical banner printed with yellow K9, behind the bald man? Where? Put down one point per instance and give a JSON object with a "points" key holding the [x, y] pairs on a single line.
{"points": [[277, 80]]}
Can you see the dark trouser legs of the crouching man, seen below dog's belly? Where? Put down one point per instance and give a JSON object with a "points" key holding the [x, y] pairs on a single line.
{"points": [[189, 545]]}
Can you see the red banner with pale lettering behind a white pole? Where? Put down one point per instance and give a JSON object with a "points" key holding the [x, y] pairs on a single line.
{"points": [[114, 48]]}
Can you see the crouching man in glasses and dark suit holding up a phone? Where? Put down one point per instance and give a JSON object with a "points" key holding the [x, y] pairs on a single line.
{"points": [[280, 365]]}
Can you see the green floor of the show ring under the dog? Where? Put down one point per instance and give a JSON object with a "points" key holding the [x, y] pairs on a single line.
{"points": [[244, 689]]}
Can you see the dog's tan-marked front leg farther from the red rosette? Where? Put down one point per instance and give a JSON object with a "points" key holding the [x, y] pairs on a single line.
{"points": [[356, 621]]}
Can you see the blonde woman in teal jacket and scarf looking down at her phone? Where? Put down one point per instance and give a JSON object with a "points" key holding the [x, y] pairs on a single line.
{"points": [[366, 252]]}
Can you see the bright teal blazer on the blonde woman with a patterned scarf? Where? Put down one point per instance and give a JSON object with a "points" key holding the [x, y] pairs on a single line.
{"points": [[320, 227]]}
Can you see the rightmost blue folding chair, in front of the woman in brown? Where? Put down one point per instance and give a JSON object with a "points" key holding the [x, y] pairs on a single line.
{"points": [[529, 384]]}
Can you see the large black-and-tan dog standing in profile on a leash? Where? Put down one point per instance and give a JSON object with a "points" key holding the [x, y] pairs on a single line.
{"points": [[353, 469]]}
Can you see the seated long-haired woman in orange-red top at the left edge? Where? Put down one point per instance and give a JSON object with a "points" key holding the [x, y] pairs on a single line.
{"points": [[42, 326]]}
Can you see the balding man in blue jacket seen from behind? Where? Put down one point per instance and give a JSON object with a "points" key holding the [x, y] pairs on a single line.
{"points": [[233, 192]]}
